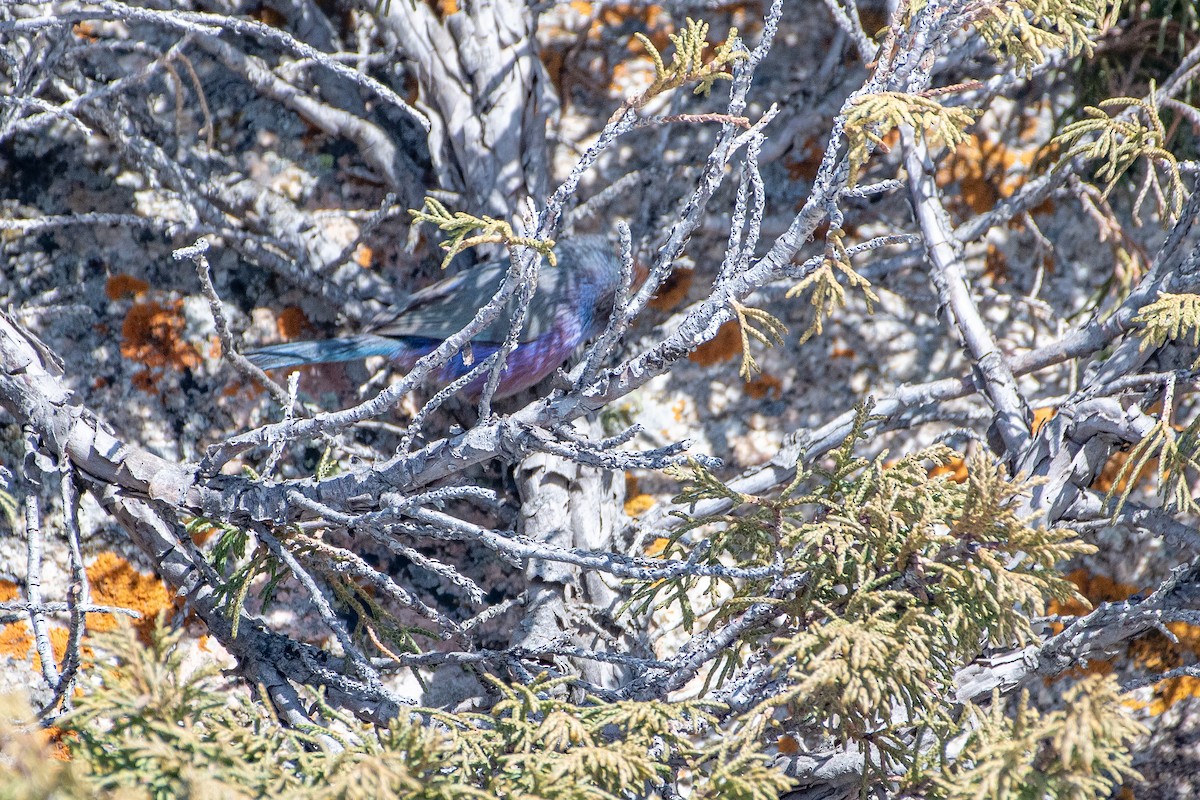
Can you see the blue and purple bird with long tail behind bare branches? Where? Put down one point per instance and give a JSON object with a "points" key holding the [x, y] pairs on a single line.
{"points": [[572, 305]]}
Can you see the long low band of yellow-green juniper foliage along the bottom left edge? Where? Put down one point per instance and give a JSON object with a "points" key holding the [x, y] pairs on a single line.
{"points": [[152, 729]]}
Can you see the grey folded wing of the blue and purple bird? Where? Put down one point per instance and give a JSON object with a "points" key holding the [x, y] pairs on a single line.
{"points": [[445, 309]]}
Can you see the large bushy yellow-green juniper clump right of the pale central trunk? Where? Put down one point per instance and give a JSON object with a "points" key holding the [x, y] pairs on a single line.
{"points": [[907, 579]]}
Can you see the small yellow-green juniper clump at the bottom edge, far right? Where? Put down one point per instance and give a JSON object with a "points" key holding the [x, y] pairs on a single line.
{"points": [[1071, 755]]}
